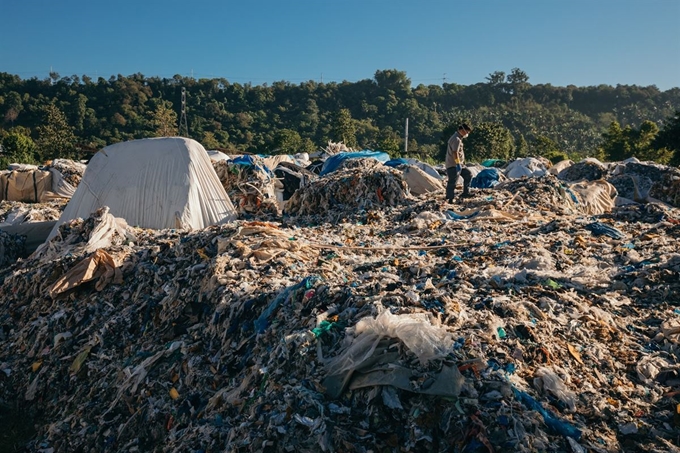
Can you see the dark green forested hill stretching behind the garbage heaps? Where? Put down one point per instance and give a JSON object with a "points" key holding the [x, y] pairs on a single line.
{"points": [[74, 116]]}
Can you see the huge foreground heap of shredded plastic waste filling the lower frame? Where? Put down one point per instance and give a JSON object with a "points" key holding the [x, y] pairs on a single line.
{"points": [[513, 321]]}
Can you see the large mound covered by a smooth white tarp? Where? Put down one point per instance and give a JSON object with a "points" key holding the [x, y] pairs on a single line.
{"points": [[152, 183]]}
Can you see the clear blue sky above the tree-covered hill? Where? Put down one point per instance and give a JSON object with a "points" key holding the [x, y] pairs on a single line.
{"points": [[561, 42]]}
